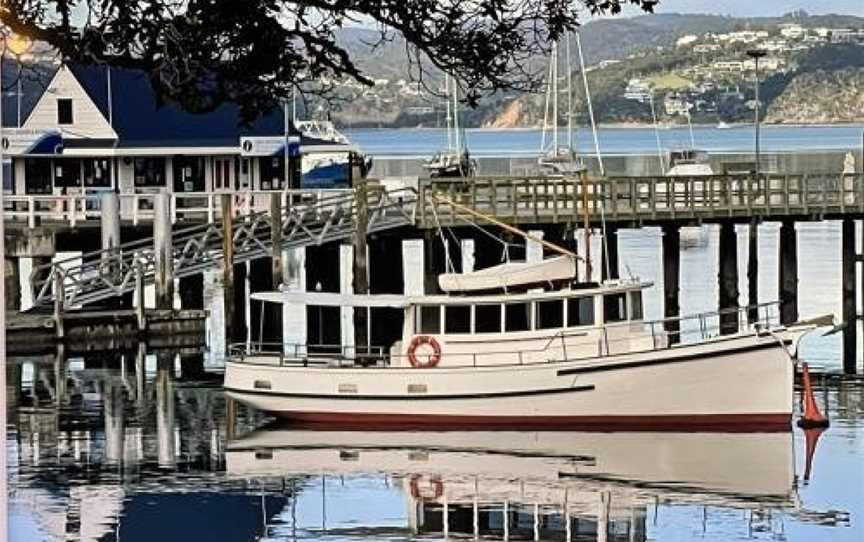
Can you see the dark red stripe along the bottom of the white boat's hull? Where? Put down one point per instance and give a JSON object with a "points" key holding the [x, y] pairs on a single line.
{"points": [[695, 422]]}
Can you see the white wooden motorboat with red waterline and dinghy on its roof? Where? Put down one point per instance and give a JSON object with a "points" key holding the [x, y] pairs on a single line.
{"points": [[514, 348]]}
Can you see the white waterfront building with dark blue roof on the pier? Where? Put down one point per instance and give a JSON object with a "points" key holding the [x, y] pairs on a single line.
{"points": [[95, 128]]}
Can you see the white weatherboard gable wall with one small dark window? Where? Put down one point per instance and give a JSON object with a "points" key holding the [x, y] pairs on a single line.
{"points": [[88, 120]]}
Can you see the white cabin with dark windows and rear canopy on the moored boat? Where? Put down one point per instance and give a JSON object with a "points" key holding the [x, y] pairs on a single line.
{"points": [[485, 329]]}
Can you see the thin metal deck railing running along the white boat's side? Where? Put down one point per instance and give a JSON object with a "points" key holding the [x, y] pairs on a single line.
{"points": [[566, 345]]}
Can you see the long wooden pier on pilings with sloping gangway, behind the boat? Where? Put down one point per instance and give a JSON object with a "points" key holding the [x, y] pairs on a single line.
{"points": [[231, 232]]}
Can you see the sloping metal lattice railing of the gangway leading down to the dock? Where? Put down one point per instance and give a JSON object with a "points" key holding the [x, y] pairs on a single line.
{"points": [[326, 217]]}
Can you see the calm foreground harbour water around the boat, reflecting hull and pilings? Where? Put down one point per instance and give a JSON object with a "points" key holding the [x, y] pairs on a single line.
{"points": [[137, 445]]}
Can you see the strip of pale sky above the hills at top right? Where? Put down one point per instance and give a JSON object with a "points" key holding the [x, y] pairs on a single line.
{"points": [[760, 8]]}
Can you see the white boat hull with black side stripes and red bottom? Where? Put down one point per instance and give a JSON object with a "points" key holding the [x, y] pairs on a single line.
{"points": [[741, 382]]}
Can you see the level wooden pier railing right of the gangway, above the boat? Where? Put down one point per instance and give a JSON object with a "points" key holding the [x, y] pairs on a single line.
{"points": [[543, 199]]}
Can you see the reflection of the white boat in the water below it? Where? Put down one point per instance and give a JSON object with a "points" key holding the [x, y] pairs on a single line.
{"points": [[535, 485]]}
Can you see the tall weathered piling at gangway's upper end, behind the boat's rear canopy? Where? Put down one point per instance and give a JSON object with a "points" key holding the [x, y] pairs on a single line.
{"points": [[361, 277]]}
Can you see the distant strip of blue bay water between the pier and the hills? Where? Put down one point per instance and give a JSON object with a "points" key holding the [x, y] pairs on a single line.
{"points": [[615, 140]]}
